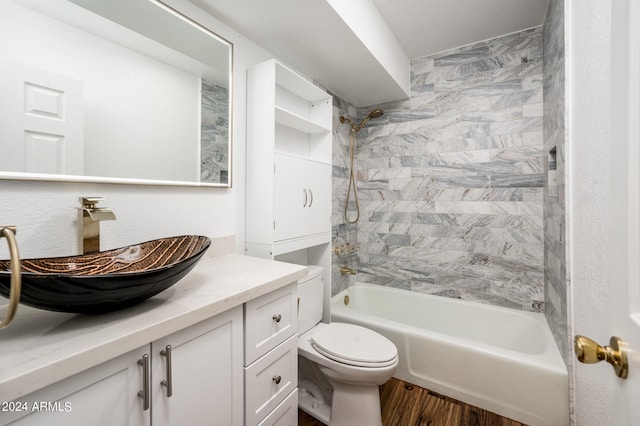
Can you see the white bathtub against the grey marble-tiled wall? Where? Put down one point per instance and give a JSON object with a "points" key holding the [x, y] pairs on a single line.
{"points": [[499, 359]]}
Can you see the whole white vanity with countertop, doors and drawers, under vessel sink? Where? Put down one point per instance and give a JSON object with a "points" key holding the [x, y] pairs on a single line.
{"points": [[67, 369]]}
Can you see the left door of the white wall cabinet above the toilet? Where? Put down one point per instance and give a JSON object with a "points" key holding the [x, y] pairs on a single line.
{"points": [[291, 197]]}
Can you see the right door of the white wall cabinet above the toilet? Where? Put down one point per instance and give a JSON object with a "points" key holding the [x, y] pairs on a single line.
{"points": [[319, 206]]}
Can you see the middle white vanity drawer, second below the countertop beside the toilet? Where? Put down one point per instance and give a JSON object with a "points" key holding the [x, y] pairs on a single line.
{"points": [[269, 380]]}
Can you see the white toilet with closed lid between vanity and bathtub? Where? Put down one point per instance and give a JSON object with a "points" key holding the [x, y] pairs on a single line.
{"points": [[340, 365]]}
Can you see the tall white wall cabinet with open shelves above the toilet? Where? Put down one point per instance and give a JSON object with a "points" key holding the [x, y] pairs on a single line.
{"points": [[289, 139]]}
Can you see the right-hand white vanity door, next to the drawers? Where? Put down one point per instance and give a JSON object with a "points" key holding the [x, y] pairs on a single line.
{"points": [[205, 373]]}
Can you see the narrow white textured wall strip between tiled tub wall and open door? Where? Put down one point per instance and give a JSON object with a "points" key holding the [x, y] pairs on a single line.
{"points": [[588, 84]]}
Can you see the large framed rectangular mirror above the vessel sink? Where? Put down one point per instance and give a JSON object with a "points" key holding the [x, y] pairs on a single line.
{"points": [[125, 91]]}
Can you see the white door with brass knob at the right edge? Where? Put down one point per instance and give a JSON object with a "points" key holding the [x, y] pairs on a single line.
{"points": [[625, 202]]}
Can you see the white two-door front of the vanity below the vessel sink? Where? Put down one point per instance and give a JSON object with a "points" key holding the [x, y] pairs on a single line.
{"points": [[203, 373]]}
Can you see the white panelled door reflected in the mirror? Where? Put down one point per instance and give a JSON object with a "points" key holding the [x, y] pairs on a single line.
{"points": [[41, 121]]}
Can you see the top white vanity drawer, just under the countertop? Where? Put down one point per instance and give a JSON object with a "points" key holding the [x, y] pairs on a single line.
{"points": [[269, 320]]}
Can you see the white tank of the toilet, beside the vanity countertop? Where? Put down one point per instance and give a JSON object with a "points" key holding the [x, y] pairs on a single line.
{"points": [[310, 299]]}
